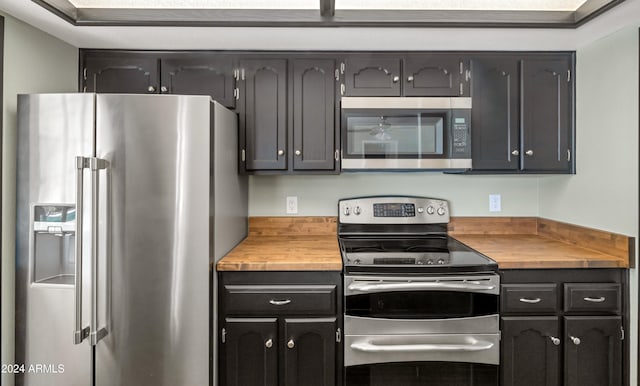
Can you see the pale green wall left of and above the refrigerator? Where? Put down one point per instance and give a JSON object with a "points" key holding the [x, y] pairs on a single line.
{"points": [[34, 62]]}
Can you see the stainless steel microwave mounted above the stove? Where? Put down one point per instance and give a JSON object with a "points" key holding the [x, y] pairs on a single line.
{"points": [[406, 133]]}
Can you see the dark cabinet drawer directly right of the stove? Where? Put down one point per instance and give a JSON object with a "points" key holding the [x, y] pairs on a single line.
{"points": [[529, 298]]}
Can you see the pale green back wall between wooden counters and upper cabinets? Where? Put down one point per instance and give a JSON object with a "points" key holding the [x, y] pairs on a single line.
{"points": [[468, 195]]}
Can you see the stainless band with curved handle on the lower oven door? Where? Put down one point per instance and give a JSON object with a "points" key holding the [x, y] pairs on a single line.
{"points": [[470, 348]]}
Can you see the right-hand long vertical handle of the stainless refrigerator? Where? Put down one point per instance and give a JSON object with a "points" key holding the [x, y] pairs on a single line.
{"points": [[96, 164]]}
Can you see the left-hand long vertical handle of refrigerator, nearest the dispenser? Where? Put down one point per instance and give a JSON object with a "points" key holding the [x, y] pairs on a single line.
{"points": [[80, 333]]}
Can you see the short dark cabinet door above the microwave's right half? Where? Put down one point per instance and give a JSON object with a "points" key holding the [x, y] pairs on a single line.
{"points": [[434, 75]]}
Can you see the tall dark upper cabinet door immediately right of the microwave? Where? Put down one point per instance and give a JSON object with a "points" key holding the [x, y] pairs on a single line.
{"points": [[495, 139]]}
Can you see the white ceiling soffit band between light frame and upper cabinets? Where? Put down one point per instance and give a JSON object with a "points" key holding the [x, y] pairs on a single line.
{"points": [[625, 14]]}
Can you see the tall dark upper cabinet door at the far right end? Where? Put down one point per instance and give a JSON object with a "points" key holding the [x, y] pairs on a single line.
{"points": [[546, 114]]}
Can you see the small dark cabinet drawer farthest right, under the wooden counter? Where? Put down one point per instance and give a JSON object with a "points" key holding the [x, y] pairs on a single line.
{"points": [[592, 297]]}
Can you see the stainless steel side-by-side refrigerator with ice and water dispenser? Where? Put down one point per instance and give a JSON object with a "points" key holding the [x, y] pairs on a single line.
{"points": [[123, 202]]}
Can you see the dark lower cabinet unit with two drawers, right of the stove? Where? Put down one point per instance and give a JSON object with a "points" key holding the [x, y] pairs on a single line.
{"points": [[579, 343]]}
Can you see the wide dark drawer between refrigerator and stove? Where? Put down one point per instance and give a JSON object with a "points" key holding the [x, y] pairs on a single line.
{"points": [[280, 299]]}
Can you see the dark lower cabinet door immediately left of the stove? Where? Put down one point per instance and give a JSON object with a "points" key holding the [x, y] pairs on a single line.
{"points": [[310, 352]]}
